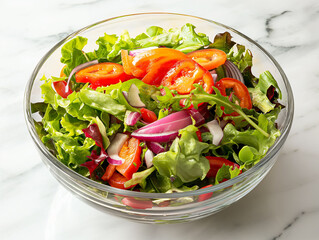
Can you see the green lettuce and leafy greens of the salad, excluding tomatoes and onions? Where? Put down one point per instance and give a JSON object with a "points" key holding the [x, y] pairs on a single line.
{"points": [[183, 166]]}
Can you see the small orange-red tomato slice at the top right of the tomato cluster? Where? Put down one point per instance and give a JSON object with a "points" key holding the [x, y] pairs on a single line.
{"points": [[209, 58]]}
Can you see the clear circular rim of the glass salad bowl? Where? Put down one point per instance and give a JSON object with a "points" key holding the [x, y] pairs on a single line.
{"points": [[270, 154]]}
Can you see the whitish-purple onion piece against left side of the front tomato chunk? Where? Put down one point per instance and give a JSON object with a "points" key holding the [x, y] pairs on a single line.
{"points": [[115, 147]]}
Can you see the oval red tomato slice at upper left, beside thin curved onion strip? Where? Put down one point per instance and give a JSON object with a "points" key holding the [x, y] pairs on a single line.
{"points": [[102, 74]]}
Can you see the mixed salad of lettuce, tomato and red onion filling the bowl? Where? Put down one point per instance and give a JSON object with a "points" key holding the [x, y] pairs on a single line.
{"points": [[165, 111]]}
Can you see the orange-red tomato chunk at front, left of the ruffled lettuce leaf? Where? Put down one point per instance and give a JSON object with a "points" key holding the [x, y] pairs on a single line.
{"points": [[130, 152]]}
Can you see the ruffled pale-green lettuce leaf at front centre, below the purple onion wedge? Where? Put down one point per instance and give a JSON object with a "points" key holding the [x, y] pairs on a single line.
{"points": [[184, 160]]}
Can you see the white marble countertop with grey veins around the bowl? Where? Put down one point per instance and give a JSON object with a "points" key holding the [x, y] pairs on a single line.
{"points": [[284, 206]]}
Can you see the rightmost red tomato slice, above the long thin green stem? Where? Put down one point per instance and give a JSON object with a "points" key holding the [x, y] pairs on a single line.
{"points": [[239, 89]]}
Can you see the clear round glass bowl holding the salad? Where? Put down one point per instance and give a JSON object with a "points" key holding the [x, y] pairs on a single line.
{"points": [[159, 207]]}
